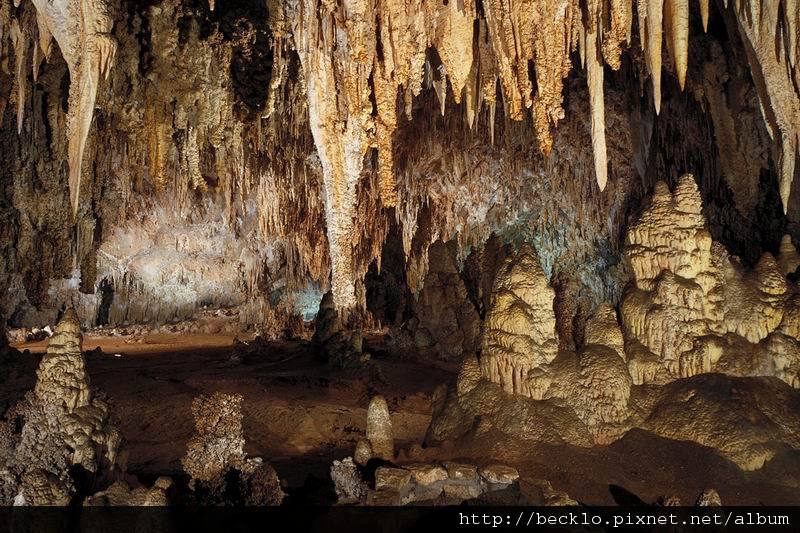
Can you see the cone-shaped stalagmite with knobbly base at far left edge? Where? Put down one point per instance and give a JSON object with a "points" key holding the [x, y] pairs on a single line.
{"points": [[65, 424]]}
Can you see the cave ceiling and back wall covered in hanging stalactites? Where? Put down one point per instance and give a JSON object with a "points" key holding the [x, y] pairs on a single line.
{"points": [[271, 145]]}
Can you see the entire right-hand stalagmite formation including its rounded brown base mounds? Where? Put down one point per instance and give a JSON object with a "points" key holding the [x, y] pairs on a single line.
{"points": [[692, 311]]}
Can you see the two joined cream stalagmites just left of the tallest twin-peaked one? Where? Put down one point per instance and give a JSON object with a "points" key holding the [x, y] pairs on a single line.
{"points": [[520, 351]]}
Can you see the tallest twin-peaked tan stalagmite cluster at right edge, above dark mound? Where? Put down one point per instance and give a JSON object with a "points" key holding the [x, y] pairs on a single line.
{"points": [[694, 308]]}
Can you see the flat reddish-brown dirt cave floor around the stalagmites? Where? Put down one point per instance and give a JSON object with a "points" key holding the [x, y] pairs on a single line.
{"points": [[300, 415]]}
